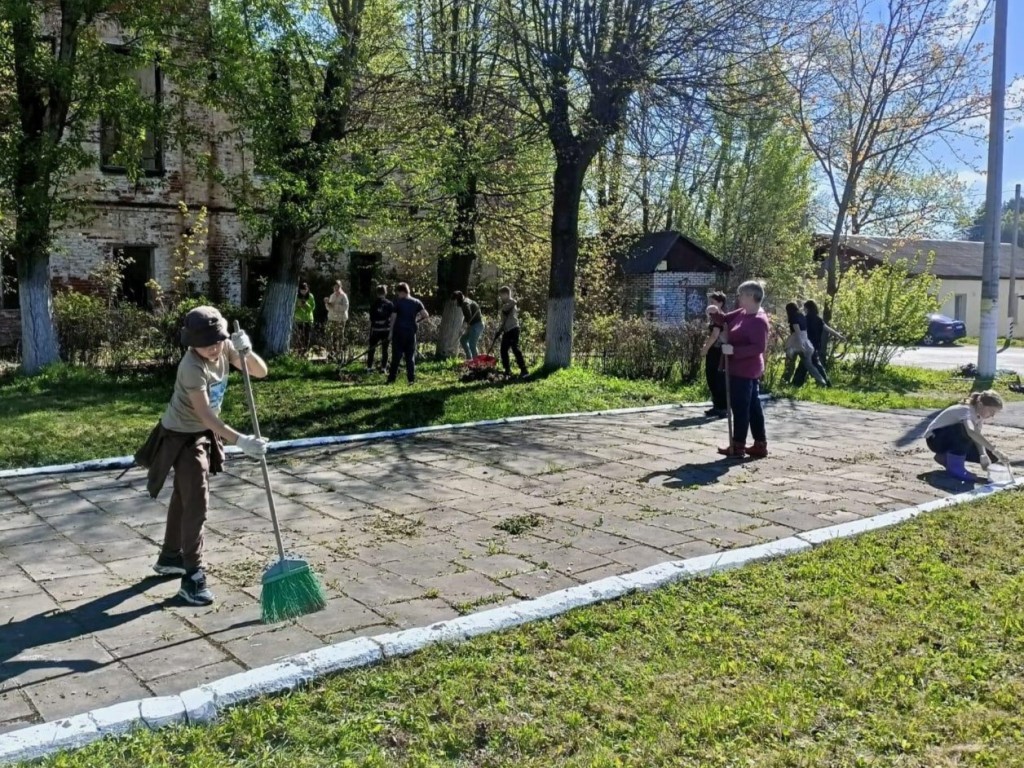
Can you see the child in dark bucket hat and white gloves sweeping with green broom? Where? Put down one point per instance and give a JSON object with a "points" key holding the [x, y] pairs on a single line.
{"points": [[190, 440]]}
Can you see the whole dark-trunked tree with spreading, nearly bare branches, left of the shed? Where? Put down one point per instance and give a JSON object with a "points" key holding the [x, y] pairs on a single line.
{"points": [[580, 64]]}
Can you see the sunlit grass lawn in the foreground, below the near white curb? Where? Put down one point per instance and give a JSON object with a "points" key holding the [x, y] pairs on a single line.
{"points": [[900, 649]]}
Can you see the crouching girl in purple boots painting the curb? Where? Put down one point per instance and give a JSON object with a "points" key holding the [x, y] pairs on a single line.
{"points": [[955, 436]]}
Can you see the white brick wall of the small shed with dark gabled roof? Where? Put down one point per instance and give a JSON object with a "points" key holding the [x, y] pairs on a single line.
{"points": [[668, 297]]}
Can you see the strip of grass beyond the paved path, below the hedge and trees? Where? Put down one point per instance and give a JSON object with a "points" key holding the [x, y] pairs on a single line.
{"points": [[75, 414]]}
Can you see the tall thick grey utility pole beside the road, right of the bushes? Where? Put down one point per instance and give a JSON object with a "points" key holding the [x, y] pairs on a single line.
{"points": [[994, 202]]}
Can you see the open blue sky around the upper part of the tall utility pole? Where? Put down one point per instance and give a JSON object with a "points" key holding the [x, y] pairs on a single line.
{"points": [[1013, 165]]}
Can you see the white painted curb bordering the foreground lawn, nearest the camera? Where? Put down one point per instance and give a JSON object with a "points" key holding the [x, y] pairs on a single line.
{"points": [[204, 704]]}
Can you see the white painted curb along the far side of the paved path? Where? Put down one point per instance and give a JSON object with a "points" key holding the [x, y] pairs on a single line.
{"points": [[124, 462]]}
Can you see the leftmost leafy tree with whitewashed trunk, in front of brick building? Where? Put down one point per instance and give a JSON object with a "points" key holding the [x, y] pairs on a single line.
{"points": [[58, 76]]}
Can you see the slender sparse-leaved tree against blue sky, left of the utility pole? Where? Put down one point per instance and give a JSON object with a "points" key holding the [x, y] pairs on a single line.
{"points": [[875, 86]]}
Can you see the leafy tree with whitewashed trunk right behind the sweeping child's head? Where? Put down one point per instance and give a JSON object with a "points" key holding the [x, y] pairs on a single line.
{"points": [[307, 89]]}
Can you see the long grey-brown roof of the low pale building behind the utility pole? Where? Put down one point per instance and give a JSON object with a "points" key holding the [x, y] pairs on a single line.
{"points": [[955, 260]]}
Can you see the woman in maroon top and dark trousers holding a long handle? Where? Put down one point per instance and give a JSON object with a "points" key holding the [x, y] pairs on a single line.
{"points": [[746, 344]]}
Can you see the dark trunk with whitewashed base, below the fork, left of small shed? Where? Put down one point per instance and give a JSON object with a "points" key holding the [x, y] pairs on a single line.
{"points": [[565, 252]]}
